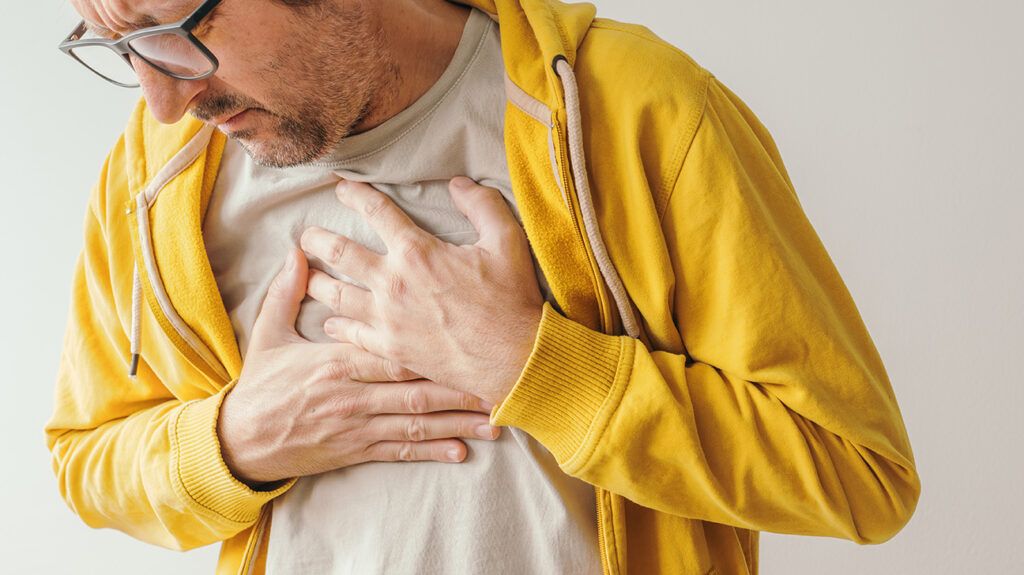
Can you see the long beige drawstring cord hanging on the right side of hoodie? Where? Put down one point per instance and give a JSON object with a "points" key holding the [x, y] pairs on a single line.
{"points": [[570, 87]]}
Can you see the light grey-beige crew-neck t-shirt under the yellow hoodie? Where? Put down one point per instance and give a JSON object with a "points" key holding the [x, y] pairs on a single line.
{"points": [[508, 508]]}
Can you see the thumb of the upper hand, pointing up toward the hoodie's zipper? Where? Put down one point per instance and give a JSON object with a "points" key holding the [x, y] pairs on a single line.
{"points": [[496, 226]]}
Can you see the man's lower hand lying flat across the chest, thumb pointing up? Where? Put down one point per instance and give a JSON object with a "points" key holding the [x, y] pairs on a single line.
{"points": [[302, 409]]}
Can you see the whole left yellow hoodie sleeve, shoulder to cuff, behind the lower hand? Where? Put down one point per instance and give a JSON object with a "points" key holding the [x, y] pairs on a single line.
{"points": [[131, 455]]}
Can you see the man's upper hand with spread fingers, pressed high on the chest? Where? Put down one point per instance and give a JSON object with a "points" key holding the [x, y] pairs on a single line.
{"points": [[464, 317]]}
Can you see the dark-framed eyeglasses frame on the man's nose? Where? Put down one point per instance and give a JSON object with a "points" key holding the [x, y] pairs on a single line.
{"points": [[123, 49]]}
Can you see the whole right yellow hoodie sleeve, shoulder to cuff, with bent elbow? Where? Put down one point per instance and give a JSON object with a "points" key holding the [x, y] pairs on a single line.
{"points": [[780, 416]]}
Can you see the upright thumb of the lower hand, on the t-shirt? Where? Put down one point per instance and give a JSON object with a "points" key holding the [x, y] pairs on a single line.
{"points": [[281, 307]]}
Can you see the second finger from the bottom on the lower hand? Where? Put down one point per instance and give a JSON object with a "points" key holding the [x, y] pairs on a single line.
{"points": [[435, 426]]}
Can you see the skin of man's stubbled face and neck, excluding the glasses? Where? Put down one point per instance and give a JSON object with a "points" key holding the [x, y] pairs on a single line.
{"points": [[370, 61]]}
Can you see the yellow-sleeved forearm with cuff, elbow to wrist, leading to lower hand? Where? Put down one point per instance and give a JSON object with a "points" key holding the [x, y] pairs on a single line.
{"points": [[156, 475]]}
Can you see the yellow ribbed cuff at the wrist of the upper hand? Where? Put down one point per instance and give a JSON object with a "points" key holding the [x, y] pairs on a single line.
{"points": [[564, 392]]}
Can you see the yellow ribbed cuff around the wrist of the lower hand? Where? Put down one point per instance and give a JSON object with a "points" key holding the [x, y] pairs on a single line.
{"points": [[202, 472]]}
